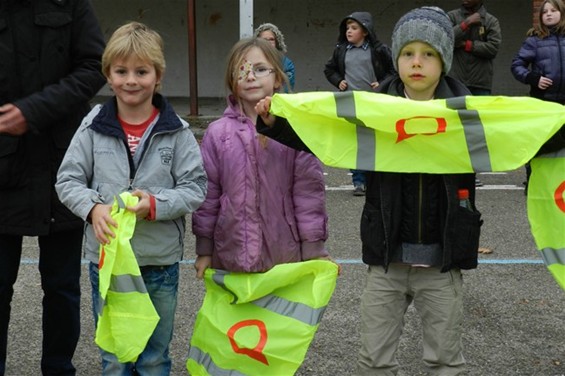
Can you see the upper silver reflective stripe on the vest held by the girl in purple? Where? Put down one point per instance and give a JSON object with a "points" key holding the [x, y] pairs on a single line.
{"points": [[281, 306]]}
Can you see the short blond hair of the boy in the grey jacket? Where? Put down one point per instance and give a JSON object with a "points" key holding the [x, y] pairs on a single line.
{"points": [[135, 39]]}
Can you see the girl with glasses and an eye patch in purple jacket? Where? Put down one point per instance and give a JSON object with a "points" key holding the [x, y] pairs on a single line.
{"points": [[266, 202]]}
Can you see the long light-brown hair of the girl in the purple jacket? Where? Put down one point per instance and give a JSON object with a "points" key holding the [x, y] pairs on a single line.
{"points": [[237, 55]]}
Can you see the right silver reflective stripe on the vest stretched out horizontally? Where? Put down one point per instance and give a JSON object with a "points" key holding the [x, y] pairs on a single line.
{"points": [[474, 134]]}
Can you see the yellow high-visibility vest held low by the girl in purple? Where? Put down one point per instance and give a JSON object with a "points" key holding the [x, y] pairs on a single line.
{"points": [[260, 323]]}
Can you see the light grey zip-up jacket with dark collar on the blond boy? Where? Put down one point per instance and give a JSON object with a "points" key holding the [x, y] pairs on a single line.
{"points": [[167, 164]]}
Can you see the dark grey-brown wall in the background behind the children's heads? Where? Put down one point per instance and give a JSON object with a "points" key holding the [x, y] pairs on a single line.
{"points": [[310, 28]]}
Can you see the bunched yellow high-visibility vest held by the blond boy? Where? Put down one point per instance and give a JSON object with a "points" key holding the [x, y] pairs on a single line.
{"points": [[127, 318]]}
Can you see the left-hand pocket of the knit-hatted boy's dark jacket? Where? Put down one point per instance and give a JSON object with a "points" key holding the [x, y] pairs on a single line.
{"points": [[372, 231]]}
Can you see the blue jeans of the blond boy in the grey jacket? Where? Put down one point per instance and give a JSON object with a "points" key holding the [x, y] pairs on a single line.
{"points": [[162, 285]]}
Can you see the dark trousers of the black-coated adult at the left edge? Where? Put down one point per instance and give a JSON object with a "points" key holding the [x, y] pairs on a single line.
{"points": [[59, 266]]}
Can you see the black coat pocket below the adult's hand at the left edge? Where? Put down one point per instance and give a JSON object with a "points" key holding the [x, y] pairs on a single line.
{"points": [[12, 162]]}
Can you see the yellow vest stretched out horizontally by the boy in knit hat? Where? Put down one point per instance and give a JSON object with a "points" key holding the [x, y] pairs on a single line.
{"points": [[379, 132]]}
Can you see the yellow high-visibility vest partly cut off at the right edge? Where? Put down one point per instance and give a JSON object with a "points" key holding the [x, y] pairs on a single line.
{"points": [[546, 210]]}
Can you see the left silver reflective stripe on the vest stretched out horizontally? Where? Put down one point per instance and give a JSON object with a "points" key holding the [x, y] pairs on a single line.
{"points": [[366, 141]]}
